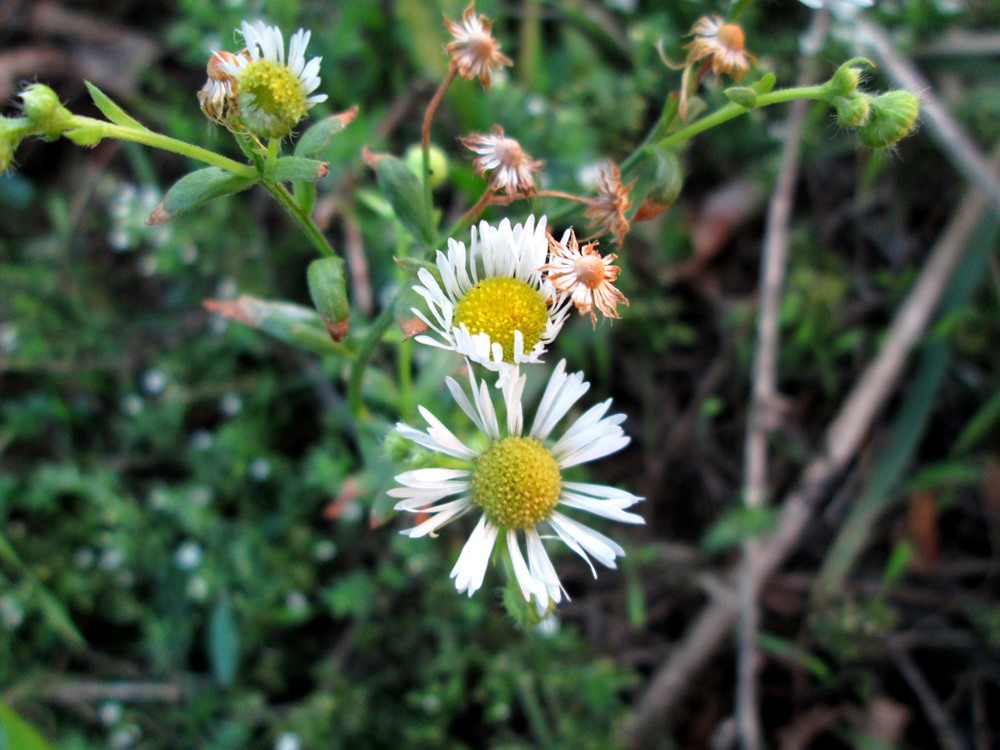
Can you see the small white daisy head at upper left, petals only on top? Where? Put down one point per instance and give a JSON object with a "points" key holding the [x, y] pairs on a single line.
{"points": [[273, 94]]}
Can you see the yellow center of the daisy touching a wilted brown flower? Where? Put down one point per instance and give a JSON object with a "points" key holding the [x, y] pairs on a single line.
{"points": [[498, 307]]}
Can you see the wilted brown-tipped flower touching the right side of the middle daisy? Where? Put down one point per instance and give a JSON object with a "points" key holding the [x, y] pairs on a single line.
{"points": [[585, 276]]}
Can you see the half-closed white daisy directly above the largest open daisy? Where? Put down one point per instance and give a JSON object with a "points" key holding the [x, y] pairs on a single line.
{"points": [[495, 308]]}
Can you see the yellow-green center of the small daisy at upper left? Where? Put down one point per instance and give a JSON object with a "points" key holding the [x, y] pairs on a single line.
{"points": [[271, 98]]}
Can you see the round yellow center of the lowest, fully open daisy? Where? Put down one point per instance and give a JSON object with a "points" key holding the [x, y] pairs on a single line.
{"points": [[516, 482]]}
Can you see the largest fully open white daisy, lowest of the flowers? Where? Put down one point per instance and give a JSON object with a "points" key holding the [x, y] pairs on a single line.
{"points": [[516, 480]]}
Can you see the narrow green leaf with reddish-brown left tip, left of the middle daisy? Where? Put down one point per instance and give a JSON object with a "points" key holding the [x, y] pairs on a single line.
{"points": [[293, 324]]}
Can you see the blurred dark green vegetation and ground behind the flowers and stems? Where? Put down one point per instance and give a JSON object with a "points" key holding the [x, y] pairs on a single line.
{"points": [[195, 546]]}
